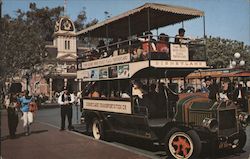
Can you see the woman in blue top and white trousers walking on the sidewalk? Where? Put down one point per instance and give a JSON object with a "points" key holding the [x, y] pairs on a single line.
{"points": [[27, 116]]}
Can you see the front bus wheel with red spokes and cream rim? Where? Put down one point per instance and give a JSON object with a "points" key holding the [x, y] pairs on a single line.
{"points": [[180, 144]]}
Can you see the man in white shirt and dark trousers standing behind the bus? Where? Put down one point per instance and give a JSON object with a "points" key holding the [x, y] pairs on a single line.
{"points": [[66, 100]]}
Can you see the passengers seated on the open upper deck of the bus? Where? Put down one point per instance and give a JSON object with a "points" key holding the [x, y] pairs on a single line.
{"points": [[139, 46]]}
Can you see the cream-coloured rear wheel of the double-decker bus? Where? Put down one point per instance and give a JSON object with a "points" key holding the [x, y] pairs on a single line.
{"points": [[97, 129]]}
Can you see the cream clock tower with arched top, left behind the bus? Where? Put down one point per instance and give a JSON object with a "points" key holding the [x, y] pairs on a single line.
{"points": [[64, 52]]}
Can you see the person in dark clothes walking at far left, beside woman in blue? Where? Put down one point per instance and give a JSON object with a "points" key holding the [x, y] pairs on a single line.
{"points": [[11, 105]]}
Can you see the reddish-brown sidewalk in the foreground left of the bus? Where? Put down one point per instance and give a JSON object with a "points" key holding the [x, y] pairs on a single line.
{"points": [[47, 142]]}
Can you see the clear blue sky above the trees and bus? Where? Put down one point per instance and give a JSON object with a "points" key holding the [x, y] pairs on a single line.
{"points": [[229, 19]]}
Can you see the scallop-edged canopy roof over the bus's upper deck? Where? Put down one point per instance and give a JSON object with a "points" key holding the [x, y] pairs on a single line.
{"points": [[159, 15]]}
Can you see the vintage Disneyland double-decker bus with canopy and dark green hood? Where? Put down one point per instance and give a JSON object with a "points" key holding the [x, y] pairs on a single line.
{"points": [[128, 85]]}
